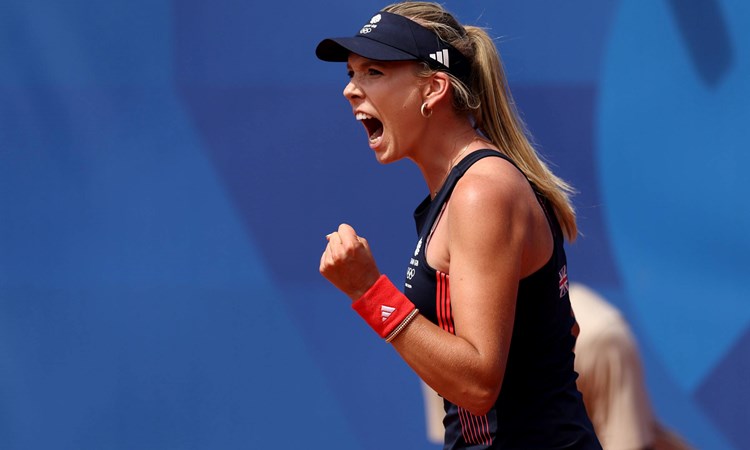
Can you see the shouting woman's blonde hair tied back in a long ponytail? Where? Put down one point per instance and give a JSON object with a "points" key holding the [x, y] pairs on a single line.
{"points": [[487, 98]]}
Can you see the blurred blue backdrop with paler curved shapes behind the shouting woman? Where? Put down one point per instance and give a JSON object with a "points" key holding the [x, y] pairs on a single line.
{"points": [[168, 172]]}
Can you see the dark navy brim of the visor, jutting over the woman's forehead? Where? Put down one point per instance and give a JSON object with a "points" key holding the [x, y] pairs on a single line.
{"points": [[338, 50]]}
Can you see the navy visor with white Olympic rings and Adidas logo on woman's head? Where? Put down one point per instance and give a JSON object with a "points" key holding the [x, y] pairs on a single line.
{"points": [[392, 37]]}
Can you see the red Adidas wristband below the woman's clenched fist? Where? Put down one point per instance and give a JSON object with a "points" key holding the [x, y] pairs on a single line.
{"points": [[383, 306]]}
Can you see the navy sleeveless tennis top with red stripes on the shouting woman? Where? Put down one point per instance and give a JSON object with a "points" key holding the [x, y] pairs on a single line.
{"points": [[539, 405]]}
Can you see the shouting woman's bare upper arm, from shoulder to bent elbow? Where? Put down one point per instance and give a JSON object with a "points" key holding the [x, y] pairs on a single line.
{"points": [[487, 226]]}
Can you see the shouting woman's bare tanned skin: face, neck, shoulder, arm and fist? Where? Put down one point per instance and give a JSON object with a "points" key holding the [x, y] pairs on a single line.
{"points": [[486, 255]]}
